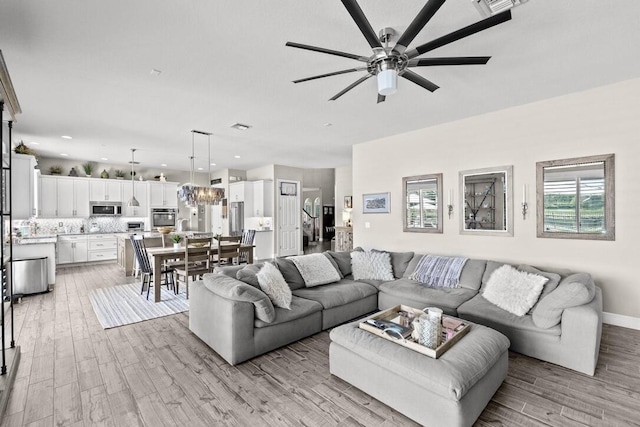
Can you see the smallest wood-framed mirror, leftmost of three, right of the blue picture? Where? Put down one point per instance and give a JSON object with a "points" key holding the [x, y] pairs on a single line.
{"points": [[422, 203]]}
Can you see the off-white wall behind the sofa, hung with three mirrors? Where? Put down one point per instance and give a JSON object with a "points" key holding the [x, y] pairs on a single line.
{"points": [[598, 121]]}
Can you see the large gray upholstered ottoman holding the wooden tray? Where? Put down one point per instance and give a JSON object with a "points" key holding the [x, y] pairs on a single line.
{"points": [[452, 390]]}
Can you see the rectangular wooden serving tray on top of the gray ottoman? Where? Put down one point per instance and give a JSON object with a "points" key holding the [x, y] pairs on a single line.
{"points": [[391, 315]]}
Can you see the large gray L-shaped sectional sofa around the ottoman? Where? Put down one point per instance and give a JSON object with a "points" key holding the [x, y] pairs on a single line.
{"points": [[236, 319]]}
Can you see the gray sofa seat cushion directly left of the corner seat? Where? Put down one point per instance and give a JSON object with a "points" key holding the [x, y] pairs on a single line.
{"points": [[337, 294]]}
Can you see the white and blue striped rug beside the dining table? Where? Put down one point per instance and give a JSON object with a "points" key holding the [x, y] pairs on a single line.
{"points": [[122, 305]]}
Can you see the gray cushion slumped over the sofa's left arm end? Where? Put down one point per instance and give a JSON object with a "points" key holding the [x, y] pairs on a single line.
{"points": [[232, 289]]}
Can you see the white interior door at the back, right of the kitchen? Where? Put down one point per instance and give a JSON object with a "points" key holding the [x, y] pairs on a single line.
{"points": [[289, 237]]}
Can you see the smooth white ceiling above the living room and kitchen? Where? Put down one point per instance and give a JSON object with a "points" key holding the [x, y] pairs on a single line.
{"points": [[83, 68]]}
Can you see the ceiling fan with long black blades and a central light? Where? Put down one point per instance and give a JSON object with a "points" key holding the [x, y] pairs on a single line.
{"points": [[388, 63]]}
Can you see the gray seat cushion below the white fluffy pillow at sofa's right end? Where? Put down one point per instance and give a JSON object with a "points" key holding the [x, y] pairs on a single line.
{"points": [[479, 310]]}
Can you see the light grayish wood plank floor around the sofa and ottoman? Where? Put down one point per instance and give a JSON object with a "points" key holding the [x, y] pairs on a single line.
{"points": [[157, 373]]}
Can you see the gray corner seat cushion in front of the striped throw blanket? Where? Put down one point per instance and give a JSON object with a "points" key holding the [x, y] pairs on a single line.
{"points": [[446, 298]]}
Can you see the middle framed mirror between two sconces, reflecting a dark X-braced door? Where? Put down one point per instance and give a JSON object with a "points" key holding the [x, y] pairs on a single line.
{"points": [[487, 200]]}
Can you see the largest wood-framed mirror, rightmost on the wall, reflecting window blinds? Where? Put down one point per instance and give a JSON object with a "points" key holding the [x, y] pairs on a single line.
{"points": [[575, 198]]}
